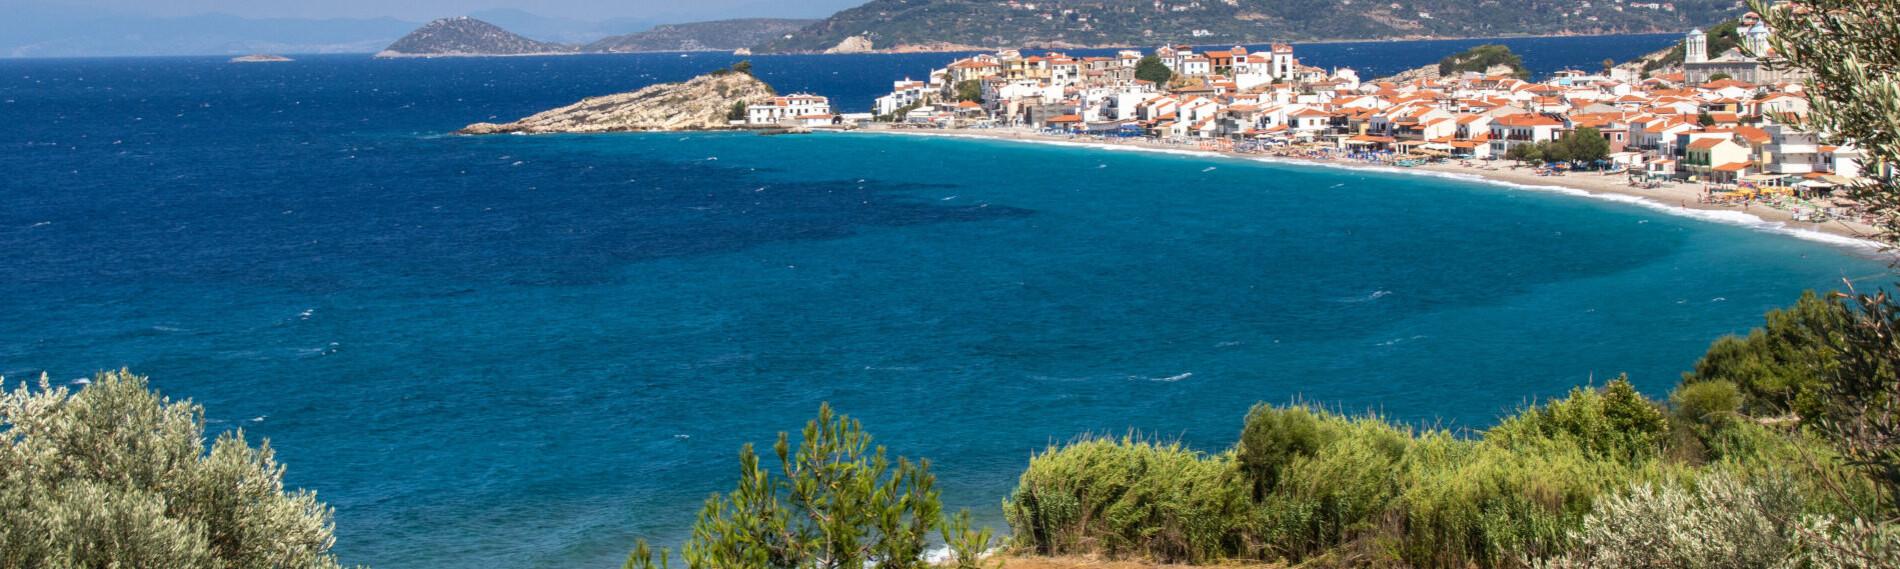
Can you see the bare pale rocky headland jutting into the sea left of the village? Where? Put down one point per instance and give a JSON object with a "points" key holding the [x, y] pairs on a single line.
{"points": [[696, 106]]}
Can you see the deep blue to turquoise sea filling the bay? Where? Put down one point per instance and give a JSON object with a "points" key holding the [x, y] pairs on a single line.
{"points": [[531, 351]]}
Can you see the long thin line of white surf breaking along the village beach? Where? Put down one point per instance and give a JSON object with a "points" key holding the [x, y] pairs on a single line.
{"points": [[1709, 216]]}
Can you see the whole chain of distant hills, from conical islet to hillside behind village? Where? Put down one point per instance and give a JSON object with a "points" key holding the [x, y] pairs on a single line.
{"points": [[957, 26]]}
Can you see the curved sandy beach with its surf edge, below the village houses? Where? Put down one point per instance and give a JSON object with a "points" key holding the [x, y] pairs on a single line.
{"points": [[1673, 199]]}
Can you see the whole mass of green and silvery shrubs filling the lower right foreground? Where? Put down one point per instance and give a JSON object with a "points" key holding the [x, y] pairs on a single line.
{"points": [[1318, 488]]}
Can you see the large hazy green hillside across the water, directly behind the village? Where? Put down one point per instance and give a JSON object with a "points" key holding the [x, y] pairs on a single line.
{"points": [[892, 24]]}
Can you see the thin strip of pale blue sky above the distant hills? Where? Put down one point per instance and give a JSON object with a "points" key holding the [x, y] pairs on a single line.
{"points": [[421, 10]]}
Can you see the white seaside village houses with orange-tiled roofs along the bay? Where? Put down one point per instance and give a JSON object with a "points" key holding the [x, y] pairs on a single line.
{"points": [[1726, 119]]}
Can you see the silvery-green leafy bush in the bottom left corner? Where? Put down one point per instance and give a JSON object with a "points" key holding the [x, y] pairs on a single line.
{"points": [[119, 477]]}
